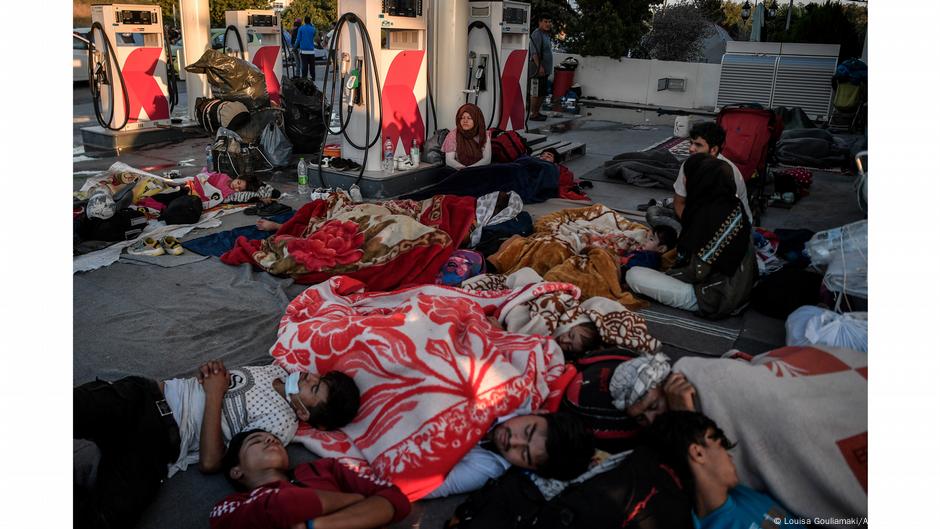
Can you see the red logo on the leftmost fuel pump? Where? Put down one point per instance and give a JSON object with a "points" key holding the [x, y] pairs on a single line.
{"points": [[143, 92]]}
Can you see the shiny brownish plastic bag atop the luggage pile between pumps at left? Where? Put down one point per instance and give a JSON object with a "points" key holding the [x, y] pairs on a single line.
{"points": [[233, 79]]}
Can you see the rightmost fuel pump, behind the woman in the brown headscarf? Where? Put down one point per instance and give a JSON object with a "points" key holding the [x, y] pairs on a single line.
{"points": [[498, 37]]}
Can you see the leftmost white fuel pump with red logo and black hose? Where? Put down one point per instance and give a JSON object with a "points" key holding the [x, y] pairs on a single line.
{"points": [[132, 80]]}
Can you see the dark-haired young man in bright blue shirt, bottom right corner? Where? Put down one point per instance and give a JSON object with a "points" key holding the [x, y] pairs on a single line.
{"points": [[697, 449]]}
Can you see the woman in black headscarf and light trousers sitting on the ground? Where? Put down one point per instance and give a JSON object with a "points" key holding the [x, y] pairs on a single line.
{"points": [[715, 265]]}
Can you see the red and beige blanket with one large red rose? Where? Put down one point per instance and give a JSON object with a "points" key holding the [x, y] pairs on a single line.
{"points": [[385, 245]]}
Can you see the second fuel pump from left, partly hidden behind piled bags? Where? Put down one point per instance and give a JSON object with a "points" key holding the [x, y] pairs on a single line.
{"points": [[255, 36]]}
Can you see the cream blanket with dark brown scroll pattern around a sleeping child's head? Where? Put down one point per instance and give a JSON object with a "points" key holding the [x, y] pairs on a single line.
{"points": [[555, 312]]}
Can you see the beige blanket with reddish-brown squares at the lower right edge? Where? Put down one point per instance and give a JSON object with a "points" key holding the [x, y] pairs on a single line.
{"points": [[799, 416]]}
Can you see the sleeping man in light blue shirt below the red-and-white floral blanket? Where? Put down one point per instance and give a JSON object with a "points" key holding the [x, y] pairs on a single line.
{"points": [[553, 445]]}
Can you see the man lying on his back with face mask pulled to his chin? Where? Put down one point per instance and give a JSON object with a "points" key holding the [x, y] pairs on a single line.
{"points": [[141, 426]]}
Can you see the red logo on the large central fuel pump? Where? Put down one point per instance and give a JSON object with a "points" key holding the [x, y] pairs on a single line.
{"points": [[401, 118]]}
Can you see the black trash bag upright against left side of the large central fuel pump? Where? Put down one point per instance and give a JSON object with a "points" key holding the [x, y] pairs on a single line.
{"points": [[303, 120]]}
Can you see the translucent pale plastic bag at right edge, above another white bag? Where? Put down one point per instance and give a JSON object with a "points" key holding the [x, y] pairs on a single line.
{"points": [[843, 252]]}
